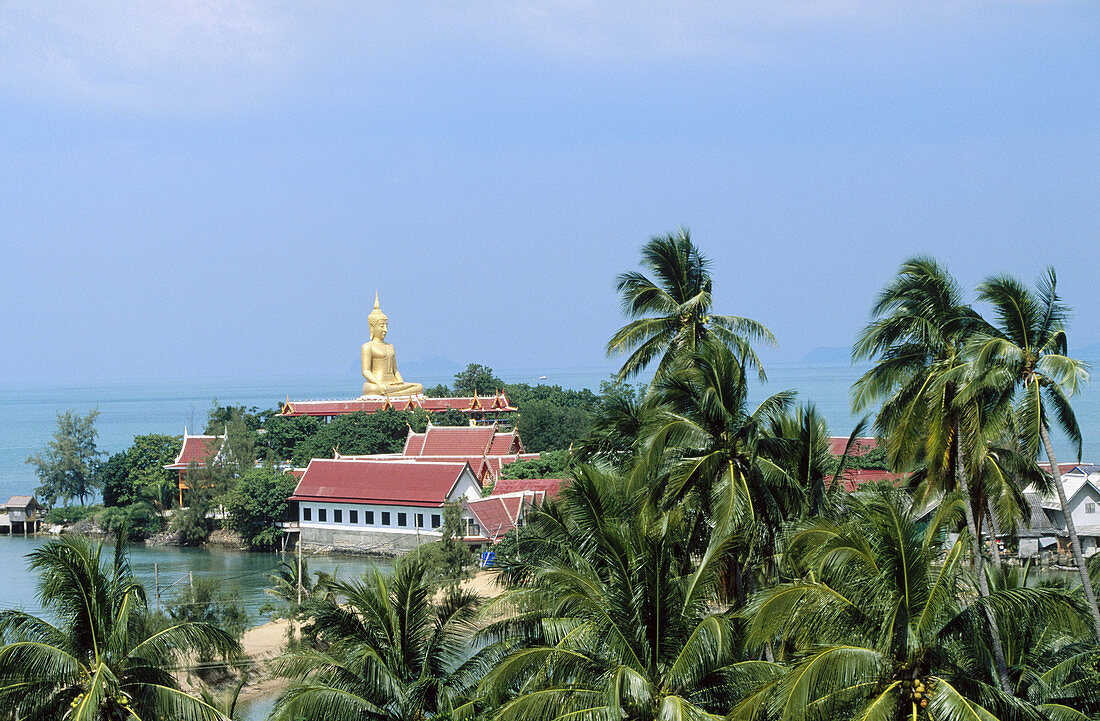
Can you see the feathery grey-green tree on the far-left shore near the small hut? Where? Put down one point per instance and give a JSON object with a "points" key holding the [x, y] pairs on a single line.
{"points": [[68, 465]]}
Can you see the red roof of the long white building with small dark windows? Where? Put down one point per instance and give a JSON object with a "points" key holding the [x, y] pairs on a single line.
{"points": [[378, 482]]}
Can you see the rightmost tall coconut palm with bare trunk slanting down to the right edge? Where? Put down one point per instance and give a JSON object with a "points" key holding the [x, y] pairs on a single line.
{"points": [[1027, 354]]}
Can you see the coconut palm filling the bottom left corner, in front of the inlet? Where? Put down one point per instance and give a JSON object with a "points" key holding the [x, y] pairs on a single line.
{"points": [[102, 658]]}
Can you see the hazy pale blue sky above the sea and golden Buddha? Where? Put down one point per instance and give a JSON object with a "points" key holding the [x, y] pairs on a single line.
{"points": [[201, 189]]}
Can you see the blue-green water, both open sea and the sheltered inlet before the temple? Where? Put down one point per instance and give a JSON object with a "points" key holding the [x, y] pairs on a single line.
{"points": [[127, 409]]}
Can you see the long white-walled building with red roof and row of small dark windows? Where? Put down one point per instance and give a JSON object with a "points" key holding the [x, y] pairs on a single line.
{"points": [[381, 507]]}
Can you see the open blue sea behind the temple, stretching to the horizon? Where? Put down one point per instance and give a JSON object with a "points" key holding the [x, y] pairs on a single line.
{"points": [[128, 409]]}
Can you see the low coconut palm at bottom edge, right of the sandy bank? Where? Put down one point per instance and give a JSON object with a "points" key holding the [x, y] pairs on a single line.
{"points": [[386, 651]]}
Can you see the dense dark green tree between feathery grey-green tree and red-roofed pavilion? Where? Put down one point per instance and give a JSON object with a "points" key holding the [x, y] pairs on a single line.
{"points": [[138, 474]]}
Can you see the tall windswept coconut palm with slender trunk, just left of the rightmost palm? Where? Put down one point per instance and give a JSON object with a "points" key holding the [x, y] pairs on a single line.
{"points": [[919, 337]]}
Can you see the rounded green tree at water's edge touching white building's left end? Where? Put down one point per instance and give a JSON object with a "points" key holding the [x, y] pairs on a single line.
{"points": [[257, 504]]}
